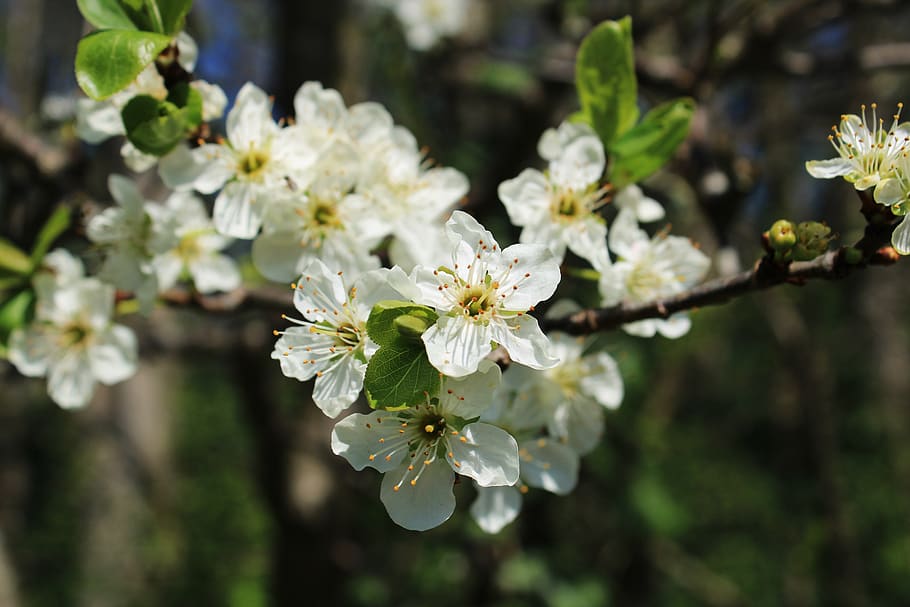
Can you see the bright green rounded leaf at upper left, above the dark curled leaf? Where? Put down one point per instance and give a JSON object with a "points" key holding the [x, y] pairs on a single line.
{"points": [[108, 61]]}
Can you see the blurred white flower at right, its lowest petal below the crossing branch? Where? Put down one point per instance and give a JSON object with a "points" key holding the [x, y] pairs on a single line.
{"points": [[649, 269]]}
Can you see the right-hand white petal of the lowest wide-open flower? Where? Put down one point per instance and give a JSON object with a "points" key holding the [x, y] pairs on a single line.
{"points": [[486, 453]]}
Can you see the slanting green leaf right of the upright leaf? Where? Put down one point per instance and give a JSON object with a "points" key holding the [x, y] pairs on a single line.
{"points": [[651, 143]]}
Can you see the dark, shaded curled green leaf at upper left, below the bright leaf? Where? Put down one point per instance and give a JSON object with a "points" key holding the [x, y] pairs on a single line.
{"points": [[155, 127]]}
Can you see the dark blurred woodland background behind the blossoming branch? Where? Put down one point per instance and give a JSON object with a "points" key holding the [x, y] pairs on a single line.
{"points": [[763, 460]]}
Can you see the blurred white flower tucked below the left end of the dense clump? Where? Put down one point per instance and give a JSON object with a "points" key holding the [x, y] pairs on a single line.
{"points": [[197, 252]]}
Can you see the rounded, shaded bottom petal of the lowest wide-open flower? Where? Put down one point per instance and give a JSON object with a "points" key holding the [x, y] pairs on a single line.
{"points": [[426, 504]]}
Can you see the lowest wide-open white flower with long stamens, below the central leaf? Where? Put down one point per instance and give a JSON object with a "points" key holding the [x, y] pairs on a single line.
{"points": [[421, 448]]}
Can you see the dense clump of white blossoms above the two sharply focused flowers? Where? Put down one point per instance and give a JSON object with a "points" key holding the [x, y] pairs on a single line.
{"points": [[331, 184]]}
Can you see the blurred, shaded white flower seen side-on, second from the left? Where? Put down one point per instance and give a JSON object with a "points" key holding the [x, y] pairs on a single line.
{"points": [[132, 233]]}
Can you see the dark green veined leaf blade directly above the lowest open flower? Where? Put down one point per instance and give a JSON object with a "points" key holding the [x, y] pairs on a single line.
{"points": [[399, 375]]}
